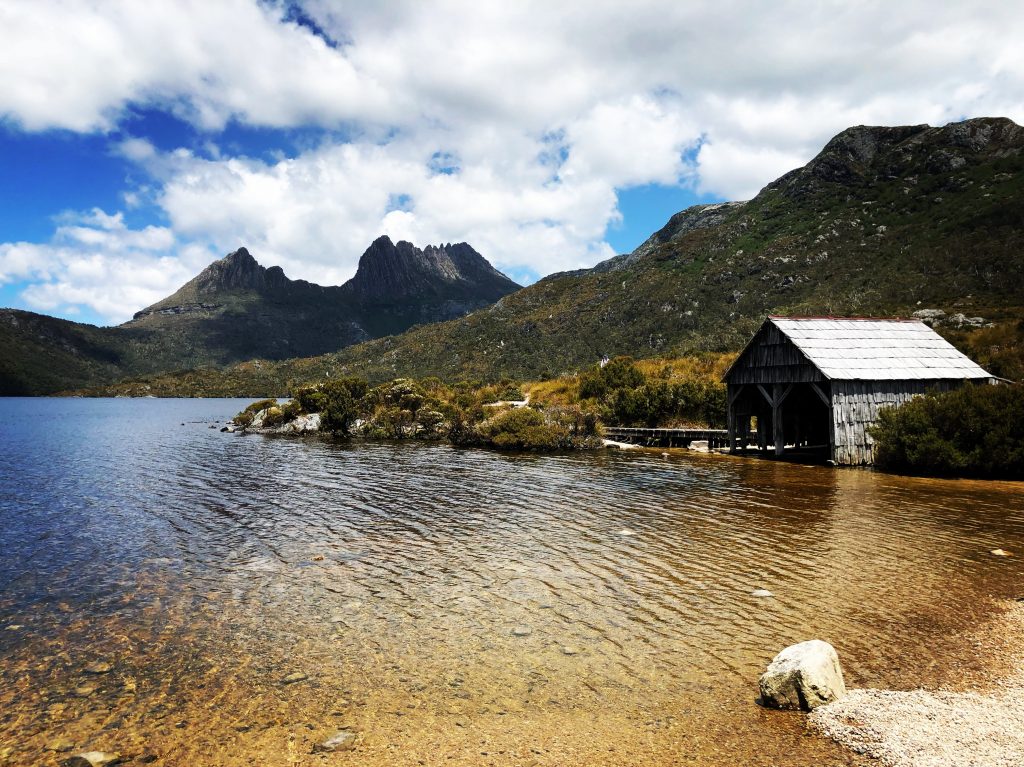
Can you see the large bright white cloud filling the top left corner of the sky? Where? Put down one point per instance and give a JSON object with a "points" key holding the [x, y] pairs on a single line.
{"points": [[79, 65]]}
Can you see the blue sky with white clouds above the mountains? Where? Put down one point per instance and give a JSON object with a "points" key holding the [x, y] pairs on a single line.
{"points": [[142, 141]]}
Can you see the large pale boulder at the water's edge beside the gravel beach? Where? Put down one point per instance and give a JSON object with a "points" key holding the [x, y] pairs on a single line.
{"points": [[803, 676]]}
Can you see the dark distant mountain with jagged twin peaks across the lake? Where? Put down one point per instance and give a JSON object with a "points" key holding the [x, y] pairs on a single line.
{"points": [[237, 310]]}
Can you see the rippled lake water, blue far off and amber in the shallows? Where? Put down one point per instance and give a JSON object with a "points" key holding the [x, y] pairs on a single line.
{"points": [[453, 607]]}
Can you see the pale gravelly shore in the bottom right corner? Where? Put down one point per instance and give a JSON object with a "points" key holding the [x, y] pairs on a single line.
{"points": [[977, 721]]}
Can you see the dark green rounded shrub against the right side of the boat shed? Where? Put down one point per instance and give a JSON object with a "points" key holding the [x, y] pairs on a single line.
{"points": [[975, 431]]}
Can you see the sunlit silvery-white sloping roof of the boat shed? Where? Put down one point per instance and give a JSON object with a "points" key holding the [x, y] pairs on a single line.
{"points": [[877, 350]]}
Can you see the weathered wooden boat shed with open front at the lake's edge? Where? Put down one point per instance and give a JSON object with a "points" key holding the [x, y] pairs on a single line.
{"points": [[816, 385]]}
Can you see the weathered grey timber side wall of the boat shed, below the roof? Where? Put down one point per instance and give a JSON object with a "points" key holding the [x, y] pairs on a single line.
{"points": [[857, 406]]}
